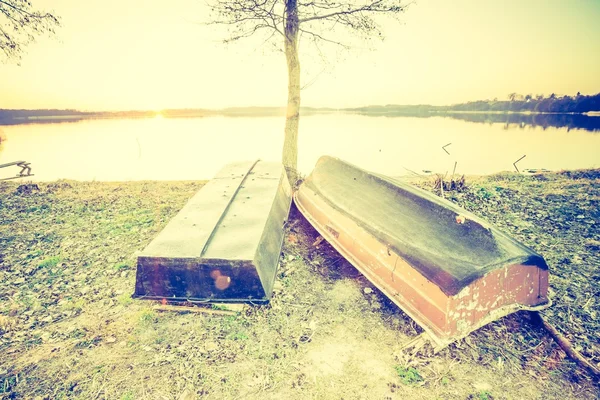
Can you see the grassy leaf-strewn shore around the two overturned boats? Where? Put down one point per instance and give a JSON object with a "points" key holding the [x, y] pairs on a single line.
{"points": [[69, 328]]}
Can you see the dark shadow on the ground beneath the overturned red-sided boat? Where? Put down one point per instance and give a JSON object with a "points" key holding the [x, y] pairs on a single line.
{"points": [[510, 337]]}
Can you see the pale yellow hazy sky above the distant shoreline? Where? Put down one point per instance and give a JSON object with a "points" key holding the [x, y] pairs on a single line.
{"points": [[152, 55]]}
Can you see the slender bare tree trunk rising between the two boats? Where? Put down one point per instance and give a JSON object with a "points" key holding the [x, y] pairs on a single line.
{"points": [[290, 142]]}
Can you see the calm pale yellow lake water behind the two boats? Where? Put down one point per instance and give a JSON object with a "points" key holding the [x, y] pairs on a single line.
{"points": [[196, 148]]}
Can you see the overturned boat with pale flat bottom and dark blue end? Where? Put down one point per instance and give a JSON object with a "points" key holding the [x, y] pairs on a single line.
{"points": [[224, 245]]}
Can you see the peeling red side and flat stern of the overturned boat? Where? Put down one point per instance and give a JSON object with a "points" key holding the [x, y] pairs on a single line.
{"points": [[445, 315]]}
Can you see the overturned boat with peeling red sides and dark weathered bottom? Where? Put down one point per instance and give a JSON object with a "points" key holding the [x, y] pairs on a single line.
{"points": [[447, 269]]}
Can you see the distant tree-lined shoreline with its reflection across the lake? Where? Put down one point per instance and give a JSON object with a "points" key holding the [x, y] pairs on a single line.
{"points": [[576, 112]]}
